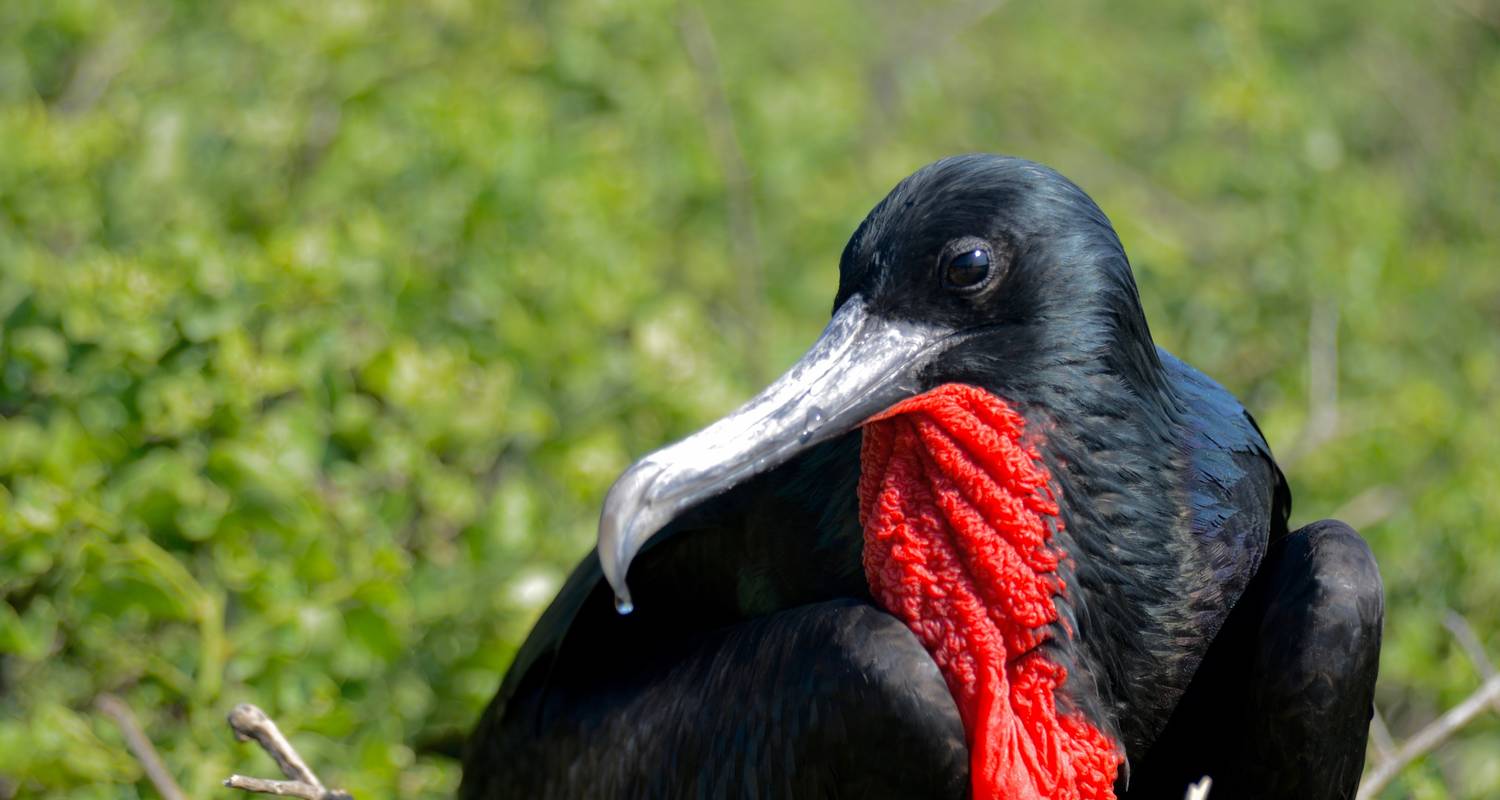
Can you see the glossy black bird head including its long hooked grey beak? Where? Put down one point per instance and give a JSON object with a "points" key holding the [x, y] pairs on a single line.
{"points": [[979, 269]]}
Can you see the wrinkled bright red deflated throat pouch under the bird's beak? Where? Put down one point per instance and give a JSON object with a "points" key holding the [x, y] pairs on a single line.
{"points": [[958, 516]]}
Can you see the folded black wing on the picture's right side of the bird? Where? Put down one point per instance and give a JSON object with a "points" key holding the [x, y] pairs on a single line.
{"points": [[1282, 705]]}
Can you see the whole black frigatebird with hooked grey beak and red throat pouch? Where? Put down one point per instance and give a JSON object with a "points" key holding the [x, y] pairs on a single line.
{"points": [[985, 538]]}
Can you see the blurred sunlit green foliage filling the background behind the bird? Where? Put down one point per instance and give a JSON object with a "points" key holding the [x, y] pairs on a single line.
{"points": [[328, 323]]}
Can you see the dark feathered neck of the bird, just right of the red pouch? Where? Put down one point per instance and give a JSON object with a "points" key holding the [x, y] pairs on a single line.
{"points": [[1112, 447]]}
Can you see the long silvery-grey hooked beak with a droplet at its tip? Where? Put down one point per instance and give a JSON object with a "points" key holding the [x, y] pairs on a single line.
{"points": [[860, 365]]}
